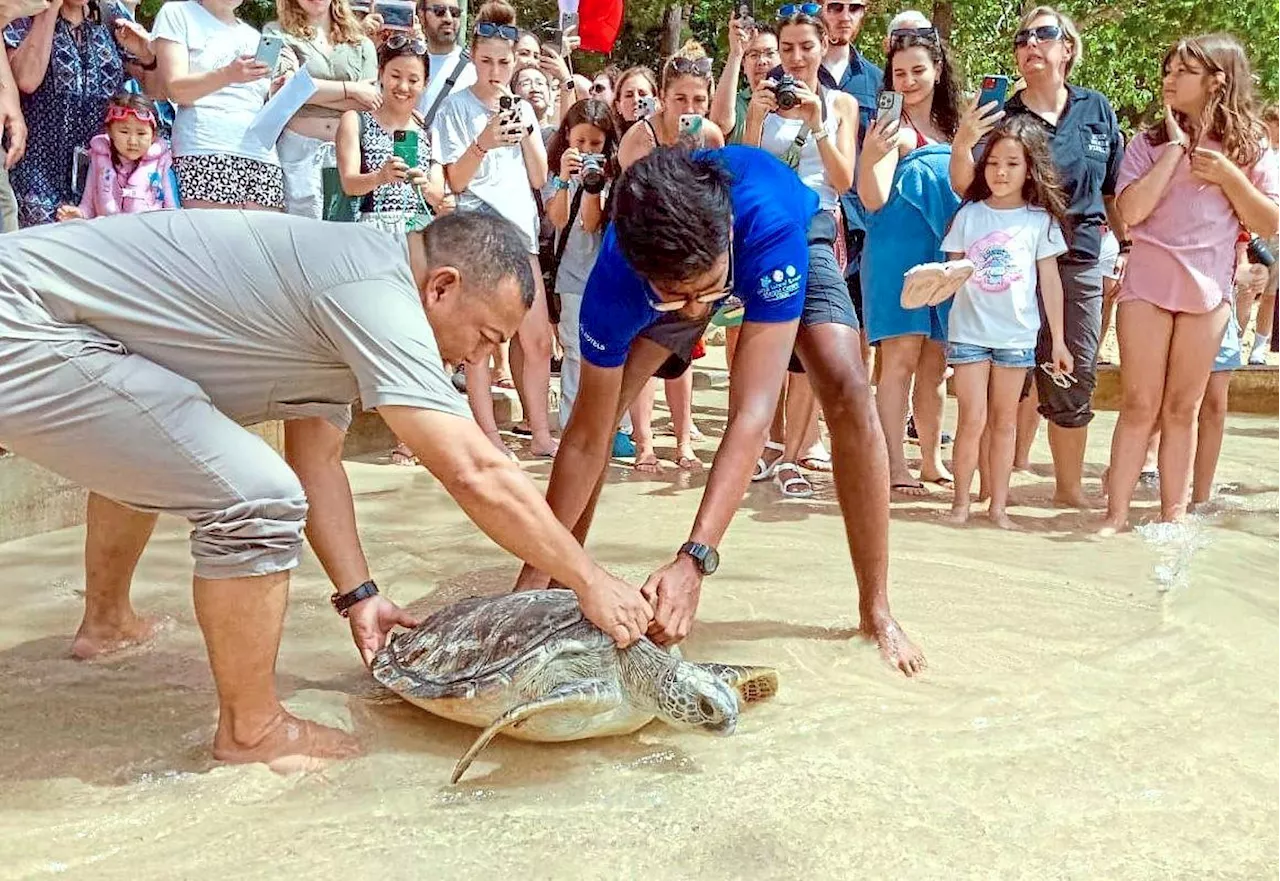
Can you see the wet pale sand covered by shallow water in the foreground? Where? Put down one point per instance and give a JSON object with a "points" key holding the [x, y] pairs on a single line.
{"points": [[1092, 710]]}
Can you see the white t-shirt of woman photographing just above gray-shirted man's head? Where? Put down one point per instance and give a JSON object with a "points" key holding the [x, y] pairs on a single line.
{"points": [[502, 181]]}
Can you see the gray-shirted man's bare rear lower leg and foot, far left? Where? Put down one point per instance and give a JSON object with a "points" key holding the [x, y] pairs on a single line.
{"points": [[115, 540]]}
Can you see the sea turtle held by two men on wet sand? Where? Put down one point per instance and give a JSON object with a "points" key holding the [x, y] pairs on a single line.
{"points": [[529, 665]]}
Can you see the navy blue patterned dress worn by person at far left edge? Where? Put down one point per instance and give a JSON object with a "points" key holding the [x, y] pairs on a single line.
{"points": [[68, 108]]}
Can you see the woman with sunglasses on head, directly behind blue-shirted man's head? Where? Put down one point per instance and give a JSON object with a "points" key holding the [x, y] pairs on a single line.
{"points": [[685, 93]]}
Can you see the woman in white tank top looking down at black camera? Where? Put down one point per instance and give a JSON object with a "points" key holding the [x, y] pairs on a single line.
{"points": [[817, 138]]}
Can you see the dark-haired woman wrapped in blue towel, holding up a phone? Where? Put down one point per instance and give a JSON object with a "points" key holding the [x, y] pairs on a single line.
{"points": [[903, 184]]}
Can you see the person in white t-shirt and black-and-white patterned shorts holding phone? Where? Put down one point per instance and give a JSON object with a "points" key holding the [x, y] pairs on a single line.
{"points": [[213, 74]]}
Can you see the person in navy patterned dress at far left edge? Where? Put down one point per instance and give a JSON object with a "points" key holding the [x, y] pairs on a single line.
{"points": [[67, 66]]}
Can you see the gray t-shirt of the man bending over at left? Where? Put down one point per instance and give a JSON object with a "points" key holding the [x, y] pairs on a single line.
{"points": [[275, 317]]}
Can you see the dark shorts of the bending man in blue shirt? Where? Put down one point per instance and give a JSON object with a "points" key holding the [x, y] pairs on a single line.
{"points": [[826, 302]]}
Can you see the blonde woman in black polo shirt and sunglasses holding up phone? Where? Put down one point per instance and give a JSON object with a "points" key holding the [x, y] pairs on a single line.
{"points": [[1087, 149]]}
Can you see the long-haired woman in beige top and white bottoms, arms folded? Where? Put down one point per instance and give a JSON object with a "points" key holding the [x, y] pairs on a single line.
{"points": [[324, 39]]}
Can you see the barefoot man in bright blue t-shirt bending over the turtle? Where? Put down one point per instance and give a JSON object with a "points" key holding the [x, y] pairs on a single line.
{"points": [[692, 230]]}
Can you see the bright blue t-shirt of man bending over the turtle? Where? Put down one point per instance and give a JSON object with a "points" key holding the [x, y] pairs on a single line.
{"points": [[772, 211]]}
